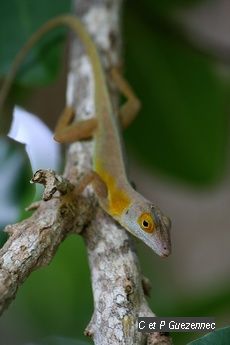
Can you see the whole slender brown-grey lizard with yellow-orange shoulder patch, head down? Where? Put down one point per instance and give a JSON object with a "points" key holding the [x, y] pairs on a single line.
{"points": [[114, 192]]}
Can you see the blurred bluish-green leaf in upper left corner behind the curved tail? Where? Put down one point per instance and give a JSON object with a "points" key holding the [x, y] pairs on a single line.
{"points": [[19, 19]]}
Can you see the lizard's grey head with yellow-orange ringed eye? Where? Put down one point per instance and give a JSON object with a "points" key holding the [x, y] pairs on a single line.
{"points": [[147, 222]]}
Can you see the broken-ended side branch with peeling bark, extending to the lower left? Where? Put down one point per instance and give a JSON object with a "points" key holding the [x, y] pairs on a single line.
{"points": [[34, 241]]}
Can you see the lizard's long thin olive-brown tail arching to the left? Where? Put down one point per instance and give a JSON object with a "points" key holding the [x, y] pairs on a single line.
{"points": [[78, 28]]}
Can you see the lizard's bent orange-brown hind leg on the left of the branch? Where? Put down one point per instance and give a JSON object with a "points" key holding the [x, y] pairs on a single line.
{"points": [[67, 131]]}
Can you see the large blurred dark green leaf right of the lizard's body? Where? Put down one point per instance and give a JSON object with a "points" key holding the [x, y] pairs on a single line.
{"points": [[182, 128]]}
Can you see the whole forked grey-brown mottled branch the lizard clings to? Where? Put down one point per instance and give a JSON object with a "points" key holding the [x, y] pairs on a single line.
{"points": [[116, 277]]}
